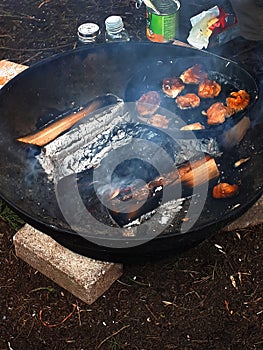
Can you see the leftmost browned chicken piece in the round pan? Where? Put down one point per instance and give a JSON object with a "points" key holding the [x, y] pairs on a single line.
{"points": [[148, 103]]}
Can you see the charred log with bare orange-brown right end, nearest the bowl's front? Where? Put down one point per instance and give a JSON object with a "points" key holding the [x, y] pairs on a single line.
{"points": [[191, 174]]}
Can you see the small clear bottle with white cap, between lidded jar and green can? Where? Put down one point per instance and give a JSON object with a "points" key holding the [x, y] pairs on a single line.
{"points": [[115, 30]]}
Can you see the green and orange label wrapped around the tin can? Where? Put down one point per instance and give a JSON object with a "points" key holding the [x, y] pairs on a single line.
{"points": [[161, 27]]}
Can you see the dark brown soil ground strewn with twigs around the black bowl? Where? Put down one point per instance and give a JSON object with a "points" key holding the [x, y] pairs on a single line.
{"points": [[210, 297]]}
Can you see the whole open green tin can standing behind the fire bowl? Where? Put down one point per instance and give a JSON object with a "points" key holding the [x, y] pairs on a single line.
{"points": [[162, 26]]}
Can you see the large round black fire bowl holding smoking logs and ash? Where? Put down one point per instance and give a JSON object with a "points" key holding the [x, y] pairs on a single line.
{"points": [[79, 187]]}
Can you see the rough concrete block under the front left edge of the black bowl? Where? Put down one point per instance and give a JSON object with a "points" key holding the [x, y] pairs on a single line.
{"points": [[85, 278]]}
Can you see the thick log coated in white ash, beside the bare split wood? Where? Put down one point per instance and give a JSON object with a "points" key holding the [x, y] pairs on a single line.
{"points": [[86, 144]]}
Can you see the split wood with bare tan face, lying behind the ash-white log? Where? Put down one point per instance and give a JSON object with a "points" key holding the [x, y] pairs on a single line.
{"points": [[53, 130]]}
